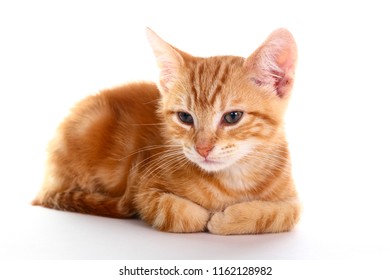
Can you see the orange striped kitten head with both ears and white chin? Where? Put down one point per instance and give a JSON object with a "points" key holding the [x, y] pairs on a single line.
{"points": [[221, 109]]}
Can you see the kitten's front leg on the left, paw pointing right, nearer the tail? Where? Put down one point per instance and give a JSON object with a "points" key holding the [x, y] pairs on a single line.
{"points": [[171, 213]]}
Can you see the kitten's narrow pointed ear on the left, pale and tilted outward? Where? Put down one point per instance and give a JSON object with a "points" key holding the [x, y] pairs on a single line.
{"points": [[168, 59]]}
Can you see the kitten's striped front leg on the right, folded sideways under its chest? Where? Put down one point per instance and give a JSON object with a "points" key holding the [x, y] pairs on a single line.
{"points": [[255, 217]]}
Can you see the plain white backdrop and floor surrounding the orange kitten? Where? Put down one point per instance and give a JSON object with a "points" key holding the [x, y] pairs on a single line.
{"points": [[53, 53]]}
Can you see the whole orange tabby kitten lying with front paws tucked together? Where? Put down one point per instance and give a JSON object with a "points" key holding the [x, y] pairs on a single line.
{"points": [[204, 149]]}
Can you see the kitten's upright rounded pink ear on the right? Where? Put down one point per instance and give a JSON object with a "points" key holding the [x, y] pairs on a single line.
{"points": [[273, 63]]}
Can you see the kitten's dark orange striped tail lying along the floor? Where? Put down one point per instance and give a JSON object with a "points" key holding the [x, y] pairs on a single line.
{"points": [[86, 203]]}
